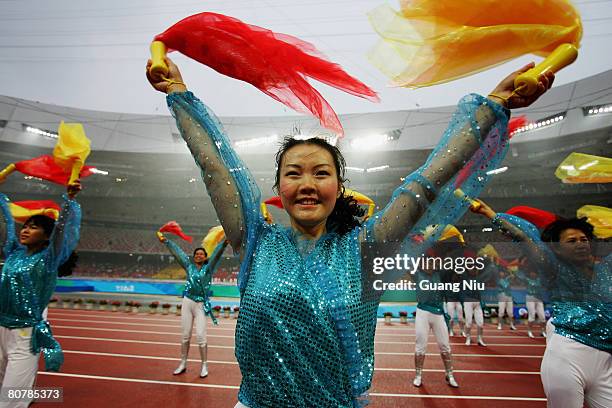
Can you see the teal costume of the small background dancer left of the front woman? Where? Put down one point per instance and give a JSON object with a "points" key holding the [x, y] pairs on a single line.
{"points": [[197, 286]]}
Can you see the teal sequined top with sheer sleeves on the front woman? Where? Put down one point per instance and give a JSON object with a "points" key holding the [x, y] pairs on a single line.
{"points": [[305, 334]]}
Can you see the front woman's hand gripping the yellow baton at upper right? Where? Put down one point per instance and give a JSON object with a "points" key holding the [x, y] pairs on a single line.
{"points": [[504, 93]]}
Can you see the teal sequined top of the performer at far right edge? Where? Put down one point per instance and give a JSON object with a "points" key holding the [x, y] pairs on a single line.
{"points": [[582, 307]]}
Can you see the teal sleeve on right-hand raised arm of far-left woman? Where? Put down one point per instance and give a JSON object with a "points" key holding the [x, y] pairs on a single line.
{"points": [[65, 235]]}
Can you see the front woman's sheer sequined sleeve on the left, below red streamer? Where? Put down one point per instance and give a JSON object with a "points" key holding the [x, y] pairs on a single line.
{"points": [[233, 191]]}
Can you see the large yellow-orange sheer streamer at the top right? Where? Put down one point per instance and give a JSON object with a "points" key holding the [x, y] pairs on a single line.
{"points": [[434, 41]]}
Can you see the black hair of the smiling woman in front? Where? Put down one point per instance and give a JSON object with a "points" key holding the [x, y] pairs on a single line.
{"points": [[344, 216]]}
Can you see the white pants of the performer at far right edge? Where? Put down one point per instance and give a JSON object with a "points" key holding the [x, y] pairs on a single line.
{"points": [[573, 372]]}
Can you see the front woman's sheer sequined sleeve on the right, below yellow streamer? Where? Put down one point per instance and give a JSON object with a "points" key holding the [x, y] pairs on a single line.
{"points": [[474, 143]]}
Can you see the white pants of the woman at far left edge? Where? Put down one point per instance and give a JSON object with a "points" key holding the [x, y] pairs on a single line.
{"points": [[18, 365]]}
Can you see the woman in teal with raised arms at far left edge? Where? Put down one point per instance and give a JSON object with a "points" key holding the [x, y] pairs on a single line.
{"points": [[27, 283]]}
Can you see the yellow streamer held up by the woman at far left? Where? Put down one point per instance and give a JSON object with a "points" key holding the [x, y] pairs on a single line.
{"points": [[72, 148]]}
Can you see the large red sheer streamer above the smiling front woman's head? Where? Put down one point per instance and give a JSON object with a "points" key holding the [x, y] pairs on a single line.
{"points": [[277, 64]]}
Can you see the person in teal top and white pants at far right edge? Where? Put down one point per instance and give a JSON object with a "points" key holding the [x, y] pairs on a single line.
{"points": [[577, 363]]}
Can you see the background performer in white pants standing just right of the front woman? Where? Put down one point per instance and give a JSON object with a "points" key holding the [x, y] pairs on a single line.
{"points": [[430, 316]]}
